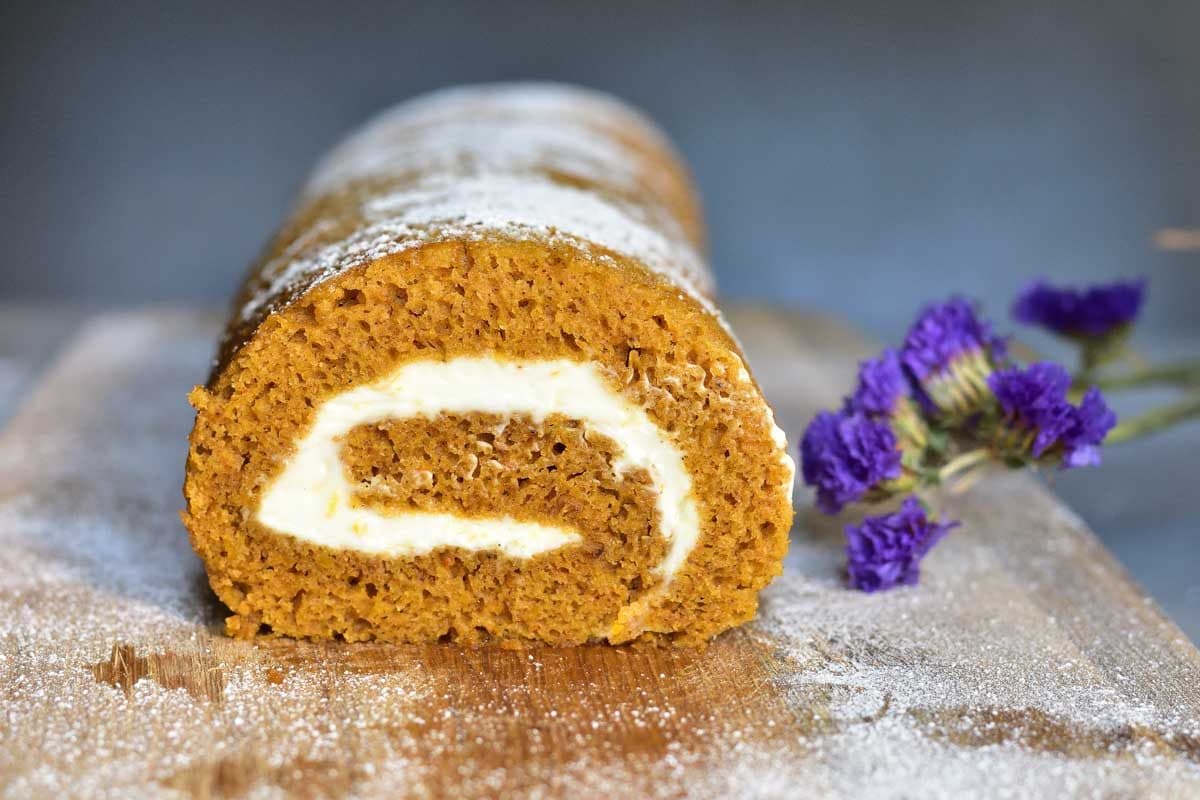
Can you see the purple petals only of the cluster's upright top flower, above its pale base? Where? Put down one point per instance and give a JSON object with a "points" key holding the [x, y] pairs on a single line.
{"points": [[944, 334]]}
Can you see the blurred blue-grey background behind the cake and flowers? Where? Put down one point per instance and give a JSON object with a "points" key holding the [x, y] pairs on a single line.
{"points": [[855, 158]]}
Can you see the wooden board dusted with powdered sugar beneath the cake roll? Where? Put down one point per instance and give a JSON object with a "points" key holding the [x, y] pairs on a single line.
{"points": [[1025, 665]]}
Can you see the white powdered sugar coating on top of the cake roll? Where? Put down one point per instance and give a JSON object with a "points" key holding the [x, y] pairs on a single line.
{"points": [[503, 161]]}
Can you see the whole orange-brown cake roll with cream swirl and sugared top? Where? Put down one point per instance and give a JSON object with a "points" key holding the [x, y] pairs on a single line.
{"points": [[477, 390]]}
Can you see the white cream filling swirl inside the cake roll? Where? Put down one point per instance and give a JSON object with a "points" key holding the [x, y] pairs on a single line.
{"points": [[313, 498]]}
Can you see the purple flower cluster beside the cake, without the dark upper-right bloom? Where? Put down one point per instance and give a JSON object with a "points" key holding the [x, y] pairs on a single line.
{"points": [[943, 405]]}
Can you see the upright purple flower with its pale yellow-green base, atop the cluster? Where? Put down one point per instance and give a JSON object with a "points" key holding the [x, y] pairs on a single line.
{"points": [[950, 352]]}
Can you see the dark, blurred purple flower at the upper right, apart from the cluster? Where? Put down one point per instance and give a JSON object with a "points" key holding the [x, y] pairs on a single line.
{"points": [[1093, 312]]}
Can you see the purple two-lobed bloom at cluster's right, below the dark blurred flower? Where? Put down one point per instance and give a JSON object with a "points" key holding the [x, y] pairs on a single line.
{"points": [[1035, 399]]}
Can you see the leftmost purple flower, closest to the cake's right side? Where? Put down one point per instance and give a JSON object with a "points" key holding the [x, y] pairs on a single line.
{"points": [[845, 455]]}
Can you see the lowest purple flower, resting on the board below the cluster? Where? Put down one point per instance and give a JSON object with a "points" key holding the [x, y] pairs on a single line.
{"points": [[886, 551]]}
